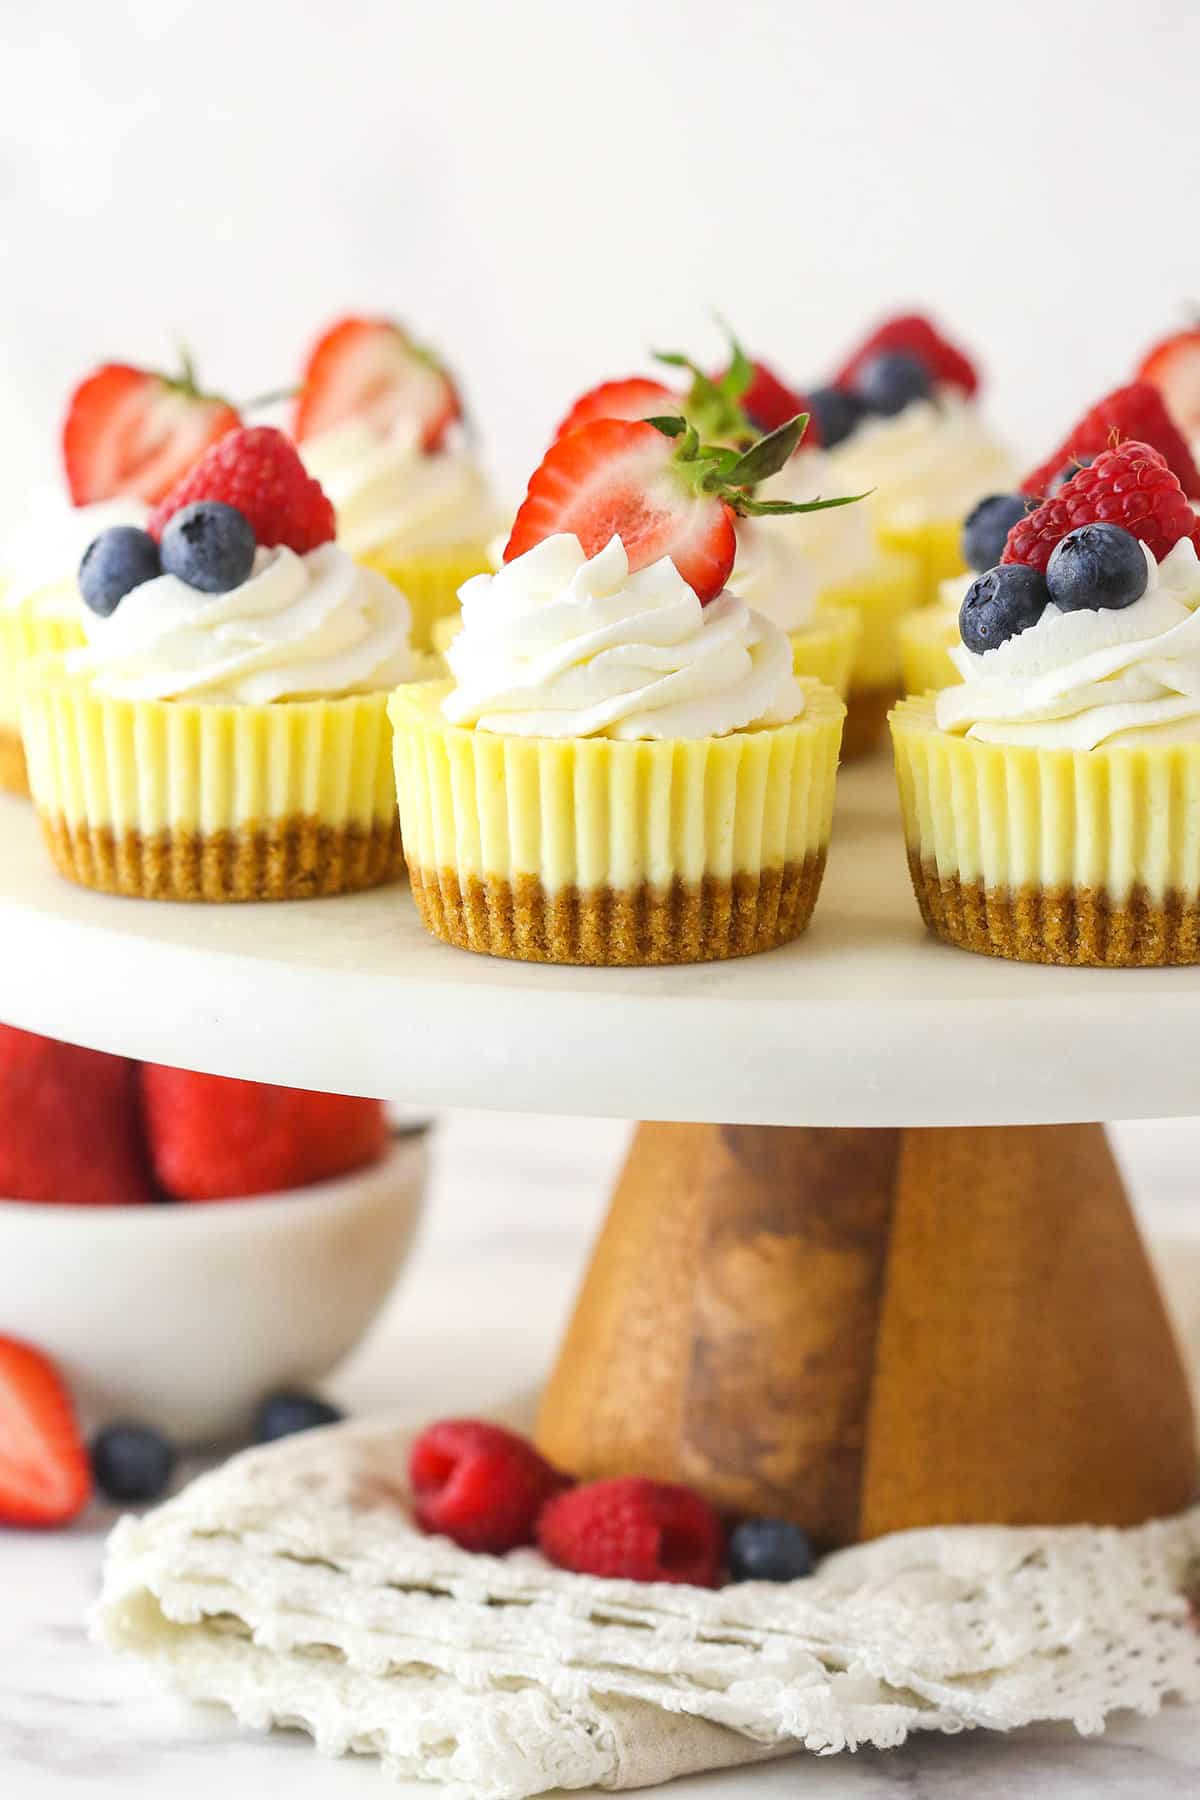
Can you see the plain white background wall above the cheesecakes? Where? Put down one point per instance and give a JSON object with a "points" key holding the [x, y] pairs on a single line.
{"points": [[544, 188]]}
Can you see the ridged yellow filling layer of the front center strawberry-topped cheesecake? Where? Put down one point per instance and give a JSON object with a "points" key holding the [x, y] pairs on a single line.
{"points": [[604, 814]]}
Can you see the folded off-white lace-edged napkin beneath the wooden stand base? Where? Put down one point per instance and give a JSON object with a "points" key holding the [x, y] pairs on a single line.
{"points": [[294, 1588]]}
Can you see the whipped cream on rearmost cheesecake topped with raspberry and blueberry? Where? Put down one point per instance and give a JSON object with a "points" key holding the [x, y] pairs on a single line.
{"points": [[931, 462]]}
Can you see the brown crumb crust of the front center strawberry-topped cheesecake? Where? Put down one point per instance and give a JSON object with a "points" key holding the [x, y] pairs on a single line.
{"points": [[620, 928]]}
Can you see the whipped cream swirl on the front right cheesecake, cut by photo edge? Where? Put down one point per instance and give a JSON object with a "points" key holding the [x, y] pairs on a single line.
{"points": [[1082, 679]]}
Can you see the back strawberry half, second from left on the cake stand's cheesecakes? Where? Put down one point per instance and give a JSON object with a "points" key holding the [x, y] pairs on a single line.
{"points": [[370, 370]]}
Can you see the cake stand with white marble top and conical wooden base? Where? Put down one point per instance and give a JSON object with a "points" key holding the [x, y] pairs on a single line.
{"points": [[875, 1270]]}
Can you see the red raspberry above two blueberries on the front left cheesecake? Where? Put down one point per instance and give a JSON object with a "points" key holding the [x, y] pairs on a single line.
{"points": [[258, 472]]}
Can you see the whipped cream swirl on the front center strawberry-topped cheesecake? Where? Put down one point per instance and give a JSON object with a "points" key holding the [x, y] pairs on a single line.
{"points": [[564, 647]]}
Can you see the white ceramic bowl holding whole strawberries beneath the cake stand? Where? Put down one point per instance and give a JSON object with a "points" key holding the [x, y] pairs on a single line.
{"points": [[184, 1317]]}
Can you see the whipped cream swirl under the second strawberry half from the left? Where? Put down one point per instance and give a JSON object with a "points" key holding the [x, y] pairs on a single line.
{"points": [[393, 499]]}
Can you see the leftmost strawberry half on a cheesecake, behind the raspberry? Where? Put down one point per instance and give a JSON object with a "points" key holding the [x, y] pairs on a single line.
{"points": [[132, 431]]}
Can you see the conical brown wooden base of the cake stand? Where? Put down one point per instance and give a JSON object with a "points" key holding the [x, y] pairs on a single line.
{"points": [[868, 1331]]}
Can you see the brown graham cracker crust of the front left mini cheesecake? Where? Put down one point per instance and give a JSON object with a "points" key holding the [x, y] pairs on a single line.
{"points": [[294, 859]]}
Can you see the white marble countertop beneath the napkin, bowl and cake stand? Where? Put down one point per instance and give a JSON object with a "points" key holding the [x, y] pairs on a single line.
{"points": [[512, 1210]]}
